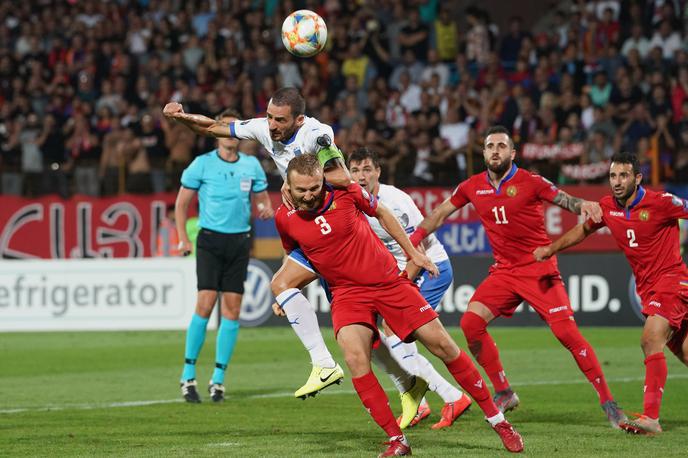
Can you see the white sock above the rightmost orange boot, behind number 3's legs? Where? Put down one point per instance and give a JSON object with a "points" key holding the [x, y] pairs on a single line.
{"points": [[408, 357]]}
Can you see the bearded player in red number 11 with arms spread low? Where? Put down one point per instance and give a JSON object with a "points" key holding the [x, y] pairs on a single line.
{"points": [[509, 202]]}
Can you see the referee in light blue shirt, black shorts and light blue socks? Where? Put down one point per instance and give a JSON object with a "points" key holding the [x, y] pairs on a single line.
{"points": [[224, 179]]}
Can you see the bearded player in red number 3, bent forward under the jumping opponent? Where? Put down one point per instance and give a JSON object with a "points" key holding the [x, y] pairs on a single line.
{"points": [[330, 227]]}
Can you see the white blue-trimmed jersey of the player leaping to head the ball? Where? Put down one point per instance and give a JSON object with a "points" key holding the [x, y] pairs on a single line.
{"points": [[303, 141]]}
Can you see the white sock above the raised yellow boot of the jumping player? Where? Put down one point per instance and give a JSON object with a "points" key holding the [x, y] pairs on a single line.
{"points": [[304, 322]]}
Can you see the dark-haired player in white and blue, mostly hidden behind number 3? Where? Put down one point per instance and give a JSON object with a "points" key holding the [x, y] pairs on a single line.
{"points": [[365, 169]]}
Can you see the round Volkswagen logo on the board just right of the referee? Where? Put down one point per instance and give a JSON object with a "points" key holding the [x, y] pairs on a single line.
{"points": [[256, 306]]}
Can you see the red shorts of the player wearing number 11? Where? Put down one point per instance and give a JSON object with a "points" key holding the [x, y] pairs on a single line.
{"points": [[503, 291]]}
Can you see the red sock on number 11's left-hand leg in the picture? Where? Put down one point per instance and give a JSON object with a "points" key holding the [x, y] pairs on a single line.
{"points": [[484, 349]]}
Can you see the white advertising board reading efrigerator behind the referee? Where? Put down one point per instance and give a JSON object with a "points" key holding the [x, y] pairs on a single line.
{"points": [[97, 294]]}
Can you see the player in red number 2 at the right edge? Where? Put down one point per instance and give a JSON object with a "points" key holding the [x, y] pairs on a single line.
{"points": [[644, 224]]}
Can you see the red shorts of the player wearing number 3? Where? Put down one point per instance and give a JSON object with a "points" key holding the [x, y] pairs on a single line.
{"points": [[400, 304]]}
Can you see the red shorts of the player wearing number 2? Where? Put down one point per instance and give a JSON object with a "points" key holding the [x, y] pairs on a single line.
{"points": [[668, 298]]}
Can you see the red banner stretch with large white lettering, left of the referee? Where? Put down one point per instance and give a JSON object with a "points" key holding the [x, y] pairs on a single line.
{"points": [[81, 227]]}
